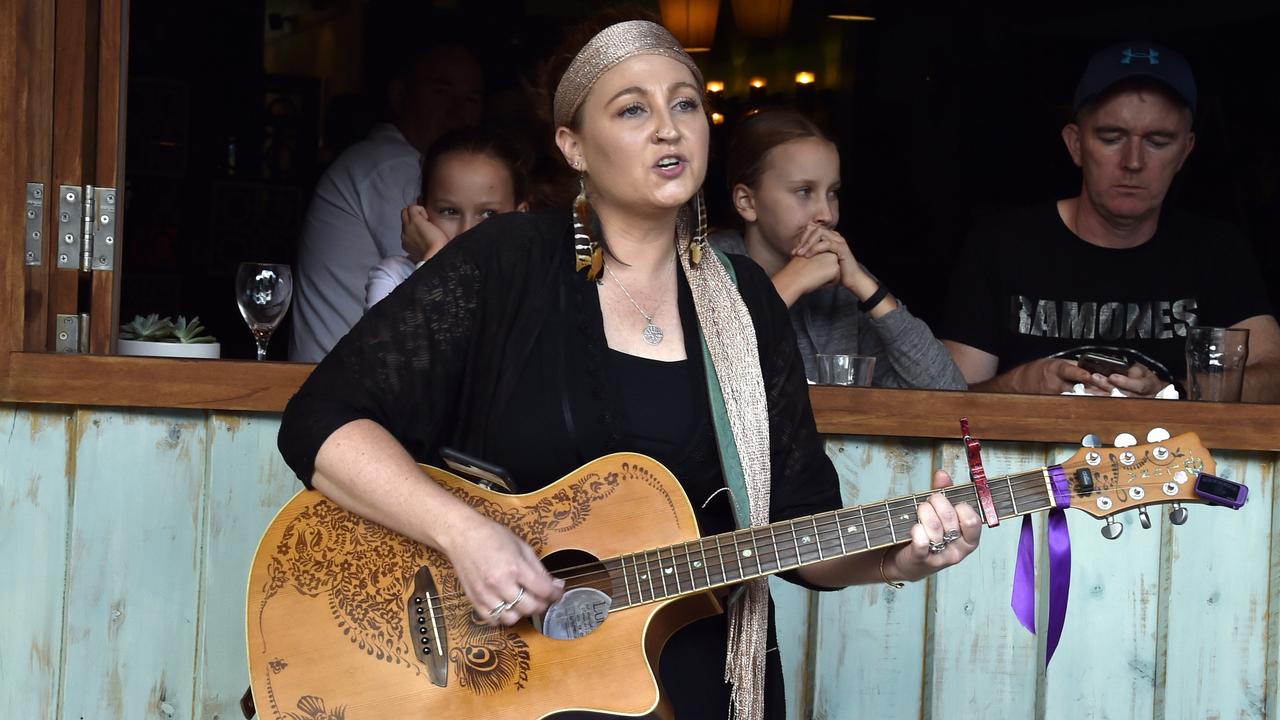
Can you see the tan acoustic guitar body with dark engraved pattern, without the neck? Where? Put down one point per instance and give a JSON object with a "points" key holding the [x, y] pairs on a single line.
{"points": [[337, 607]]}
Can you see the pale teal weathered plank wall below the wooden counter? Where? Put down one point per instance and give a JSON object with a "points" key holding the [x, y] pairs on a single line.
{"points": [[126, 540]]}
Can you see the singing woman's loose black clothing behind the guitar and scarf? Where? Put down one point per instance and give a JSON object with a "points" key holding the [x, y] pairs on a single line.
{"points": [[497, 348]]}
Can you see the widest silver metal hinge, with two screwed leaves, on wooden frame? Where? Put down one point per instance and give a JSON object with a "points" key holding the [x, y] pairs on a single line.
{"points": [[86, 229]]}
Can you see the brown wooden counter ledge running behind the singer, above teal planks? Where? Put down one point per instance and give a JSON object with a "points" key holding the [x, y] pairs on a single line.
{"points": [[266, 388]]}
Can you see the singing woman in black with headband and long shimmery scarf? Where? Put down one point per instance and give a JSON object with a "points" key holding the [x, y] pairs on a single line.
{"points": [[542, 341]]}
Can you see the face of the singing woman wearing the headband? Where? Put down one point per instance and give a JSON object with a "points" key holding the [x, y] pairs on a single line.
{"points": [[643, 138]]}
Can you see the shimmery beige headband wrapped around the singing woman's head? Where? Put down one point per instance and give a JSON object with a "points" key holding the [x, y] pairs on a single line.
{"points": [[607, 49]]}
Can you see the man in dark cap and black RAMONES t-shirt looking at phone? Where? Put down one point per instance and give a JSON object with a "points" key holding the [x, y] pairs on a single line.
{"points": [[1110, 270]]}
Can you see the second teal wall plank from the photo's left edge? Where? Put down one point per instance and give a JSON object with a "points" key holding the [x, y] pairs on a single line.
{"points": [[135, 559]]}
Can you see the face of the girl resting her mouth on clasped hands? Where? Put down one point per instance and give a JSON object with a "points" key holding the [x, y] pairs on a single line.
{"points": [[799, 186]]}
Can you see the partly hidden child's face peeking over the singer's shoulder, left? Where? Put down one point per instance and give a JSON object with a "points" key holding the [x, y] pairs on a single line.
{"points": [[467, 189]]}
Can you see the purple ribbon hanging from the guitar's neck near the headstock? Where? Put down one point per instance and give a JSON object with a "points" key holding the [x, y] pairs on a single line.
{"points": [[1059, 562]]}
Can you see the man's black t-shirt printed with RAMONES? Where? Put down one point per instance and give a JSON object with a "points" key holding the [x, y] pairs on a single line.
{"points": [[1027, 288]]}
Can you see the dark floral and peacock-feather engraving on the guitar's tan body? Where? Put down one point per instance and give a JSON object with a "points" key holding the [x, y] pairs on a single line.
{"points": [[364, 572]]}
